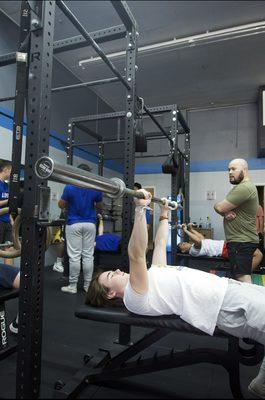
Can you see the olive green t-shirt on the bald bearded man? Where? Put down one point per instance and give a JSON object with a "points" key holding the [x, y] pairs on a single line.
{"points": [[243, 227]]}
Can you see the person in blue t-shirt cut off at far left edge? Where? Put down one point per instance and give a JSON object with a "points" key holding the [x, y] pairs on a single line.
{"points": [[5, 226]]}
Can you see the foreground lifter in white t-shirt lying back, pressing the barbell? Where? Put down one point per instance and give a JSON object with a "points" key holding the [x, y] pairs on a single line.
{"points": [[204, 300]]}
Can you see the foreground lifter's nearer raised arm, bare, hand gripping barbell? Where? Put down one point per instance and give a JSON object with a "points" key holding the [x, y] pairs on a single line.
{"points": [[137, 246]]}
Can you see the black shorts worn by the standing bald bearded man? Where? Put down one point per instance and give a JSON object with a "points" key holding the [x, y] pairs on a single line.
{"points": [[240, 257]]}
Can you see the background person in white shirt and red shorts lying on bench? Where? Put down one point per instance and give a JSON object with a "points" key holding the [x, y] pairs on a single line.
{"points": [[209, 247]]}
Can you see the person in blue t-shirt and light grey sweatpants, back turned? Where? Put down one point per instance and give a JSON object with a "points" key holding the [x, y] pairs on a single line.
{"points": [[80, 231]]}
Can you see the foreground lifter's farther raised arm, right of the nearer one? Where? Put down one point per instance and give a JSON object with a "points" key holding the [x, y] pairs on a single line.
{"points": [[160, 250]]}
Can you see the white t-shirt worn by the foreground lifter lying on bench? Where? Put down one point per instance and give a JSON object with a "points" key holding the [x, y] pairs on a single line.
{"points": [[194, 295]]}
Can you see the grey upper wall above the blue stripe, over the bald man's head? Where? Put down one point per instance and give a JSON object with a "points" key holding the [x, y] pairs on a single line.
{"points": [[223, 133]]}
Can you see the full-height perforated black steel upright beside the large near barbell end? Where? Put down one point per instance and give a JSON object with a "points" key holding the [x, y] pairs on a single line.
{"points": [[33, 236]]}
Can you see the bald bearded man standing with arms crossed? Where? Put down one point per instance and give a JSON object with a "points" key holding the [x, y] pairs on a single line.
{"points": [[239, 210]]}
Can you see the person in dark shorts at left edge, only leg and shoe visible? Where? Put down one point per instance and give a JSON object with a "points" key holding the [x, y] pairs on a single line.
{"points": [[10, 279]]}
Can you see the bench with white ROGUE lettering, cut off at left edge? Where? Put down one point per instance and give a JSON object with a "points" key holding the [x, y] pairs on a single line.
{"points": [[5, 348]]}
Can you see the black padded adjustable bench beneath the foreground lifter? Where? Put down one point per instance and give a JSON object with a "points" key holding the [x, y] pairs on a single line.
{"points": [[103, 367]]}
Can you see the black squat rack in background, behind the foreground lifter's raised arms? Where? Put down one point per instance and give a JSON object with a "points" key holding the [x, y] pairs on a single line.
{"points": [[178, 180]]}
